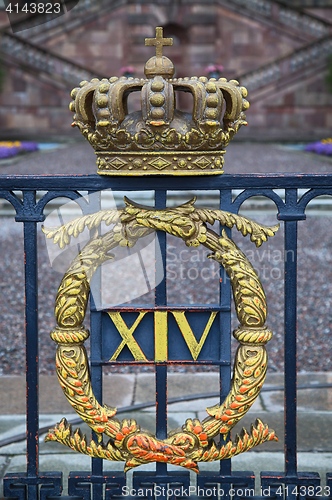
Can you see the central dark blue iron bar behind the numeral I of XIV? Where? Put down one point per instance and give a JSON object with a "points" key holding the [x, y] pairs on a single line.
{"points": [[161, 300]]}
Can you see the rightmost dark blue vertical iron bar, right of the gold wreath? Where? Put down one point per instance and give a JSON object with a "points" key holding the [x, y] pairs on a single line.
{"points": [[290, 337]]}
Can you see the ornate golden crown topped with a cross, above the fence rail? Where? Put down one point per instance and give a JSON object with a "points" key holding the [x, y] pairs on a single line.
{"points": [[159, 139]]}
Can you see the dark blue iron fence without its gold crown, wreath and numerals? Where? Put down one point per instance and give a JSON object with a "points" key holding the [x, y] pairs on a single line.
{"points": [[297, 191]]}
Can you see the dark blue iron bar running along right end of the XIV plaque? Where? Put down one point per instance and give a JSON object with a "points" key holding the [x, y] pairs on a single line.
{"points": [[225, 326]]}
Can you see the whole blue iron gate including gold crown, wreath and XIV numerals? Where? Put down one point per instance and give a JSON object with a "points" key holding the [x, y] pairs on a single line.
{"points": [[161, 149]]}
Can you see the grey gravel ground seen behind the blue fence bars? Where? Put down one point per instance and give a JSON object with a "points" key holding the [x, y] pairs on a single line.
{"points": [[314, 264]]}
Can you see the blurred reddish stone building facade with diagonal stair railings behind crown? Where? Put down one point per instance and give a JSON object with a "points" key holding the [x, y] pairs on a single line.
{"points": [[278, 51]]}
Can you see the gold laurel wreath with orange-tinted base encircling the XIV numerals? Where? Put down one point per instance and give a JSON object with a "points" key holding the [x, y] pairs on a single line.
{"points": [[195, 441]]}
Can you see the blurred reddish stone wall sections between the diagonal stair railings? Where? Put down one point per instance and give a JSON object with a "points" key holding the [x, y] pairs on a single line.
{"points": [[203, 34]]}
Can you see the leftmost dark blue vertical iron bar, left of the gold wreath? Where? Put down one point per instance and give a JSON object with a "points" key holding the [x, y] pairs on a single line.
{"points": [[31, 335]]}
